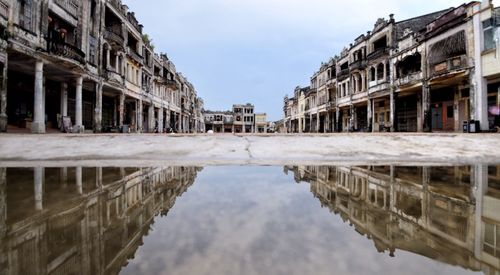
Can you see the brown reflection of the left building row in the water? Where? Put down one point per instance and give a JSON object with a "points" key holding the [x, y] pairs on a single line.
{"points": [[81, 220]]}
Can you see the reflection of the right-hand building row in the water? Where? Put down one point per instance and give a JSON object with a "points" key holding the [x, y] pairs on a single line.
{"points": [[449, 214]]}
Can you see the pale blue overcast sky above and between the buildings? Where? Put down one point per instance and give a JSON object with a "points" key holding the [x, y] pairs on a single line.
{"points": [[257, 51]]}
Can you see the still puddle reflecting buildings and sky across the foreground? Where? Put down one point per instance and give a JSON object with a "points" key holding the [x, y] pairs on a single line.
{"points": [[250, 220]]}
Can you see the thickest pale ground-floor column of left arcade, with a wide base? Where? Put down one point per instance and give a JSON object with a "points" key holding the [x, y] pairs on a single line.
{"points": [[38, 126]]}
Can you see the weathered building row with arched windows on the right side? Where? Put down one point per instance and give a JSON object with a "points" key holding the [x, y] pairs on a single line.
{"points": [[429, 73]]}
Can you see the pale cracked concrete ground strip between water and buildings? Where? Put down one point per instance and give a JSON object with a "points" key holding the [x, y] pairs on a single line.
{"points": [[145, 150]]}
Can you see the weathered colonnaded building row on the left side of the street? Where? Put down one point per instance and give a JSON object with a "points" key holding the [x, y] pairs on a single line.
{"points": [[87, 65]]}
